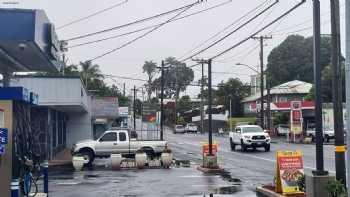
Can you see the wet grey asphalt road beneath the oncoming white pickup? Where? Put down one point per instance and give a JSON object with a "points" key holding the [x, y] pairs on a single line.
{"points": [[252, 167]]}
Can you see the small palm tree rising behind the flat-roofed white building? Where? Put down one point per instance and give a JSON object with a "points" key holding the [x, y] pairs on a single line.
{"points": [[90, 71]]}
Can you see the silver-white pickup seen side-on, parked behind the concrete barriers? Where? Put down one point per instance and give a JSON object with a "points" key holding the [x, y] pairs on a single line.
{"points": [[116, 142]]}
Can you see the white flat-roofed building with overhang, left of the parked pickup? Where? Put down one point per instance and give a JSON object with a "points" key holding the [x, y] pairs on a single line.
{"points": [[63, 112]]}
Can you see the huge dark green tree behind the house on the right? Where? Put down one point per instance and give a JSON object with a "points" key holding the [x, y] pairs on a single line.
{"points": [[293, 59]]}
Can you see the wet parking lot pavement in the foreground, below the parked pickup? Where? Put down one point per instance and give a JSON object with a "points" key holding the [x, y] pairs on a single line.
{"points": [[177, 181]]}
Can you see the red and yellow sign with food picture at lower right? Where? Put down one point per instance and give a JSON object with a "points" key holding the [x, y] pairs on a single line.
{"points": [[289, 169]]}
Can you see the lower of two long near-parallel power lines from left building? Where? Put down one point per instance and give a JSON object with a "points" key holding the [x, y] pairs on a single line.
{"points": [[148, 27]]}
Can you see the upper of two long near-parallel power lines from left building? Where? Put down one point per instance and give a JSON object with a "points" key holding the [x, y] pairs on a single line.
{"points": [[132, 23]]}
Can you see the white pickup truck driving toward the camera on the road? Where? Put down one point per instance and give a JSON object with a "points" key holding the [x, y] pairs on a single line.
{"points": [[249, 136]]}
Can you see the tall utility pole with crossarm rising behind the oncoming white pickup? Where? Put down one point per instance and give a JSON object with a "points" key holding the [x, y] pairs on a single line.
{"points": [[262, 38]]}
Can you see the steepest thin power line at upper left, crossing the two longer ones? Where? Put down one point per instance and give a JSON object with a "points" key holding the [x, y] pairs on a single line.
{"points": [[143, 35]]}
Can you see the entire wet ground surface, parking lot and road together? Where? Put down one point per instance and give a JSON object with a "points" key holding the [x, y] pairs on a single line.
{"points": [[243, 172]]}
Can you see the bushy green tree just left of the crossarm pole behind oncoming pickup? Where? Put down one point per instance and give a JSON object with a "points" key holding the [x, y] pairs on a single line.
{"points": [[235, 90]]}
